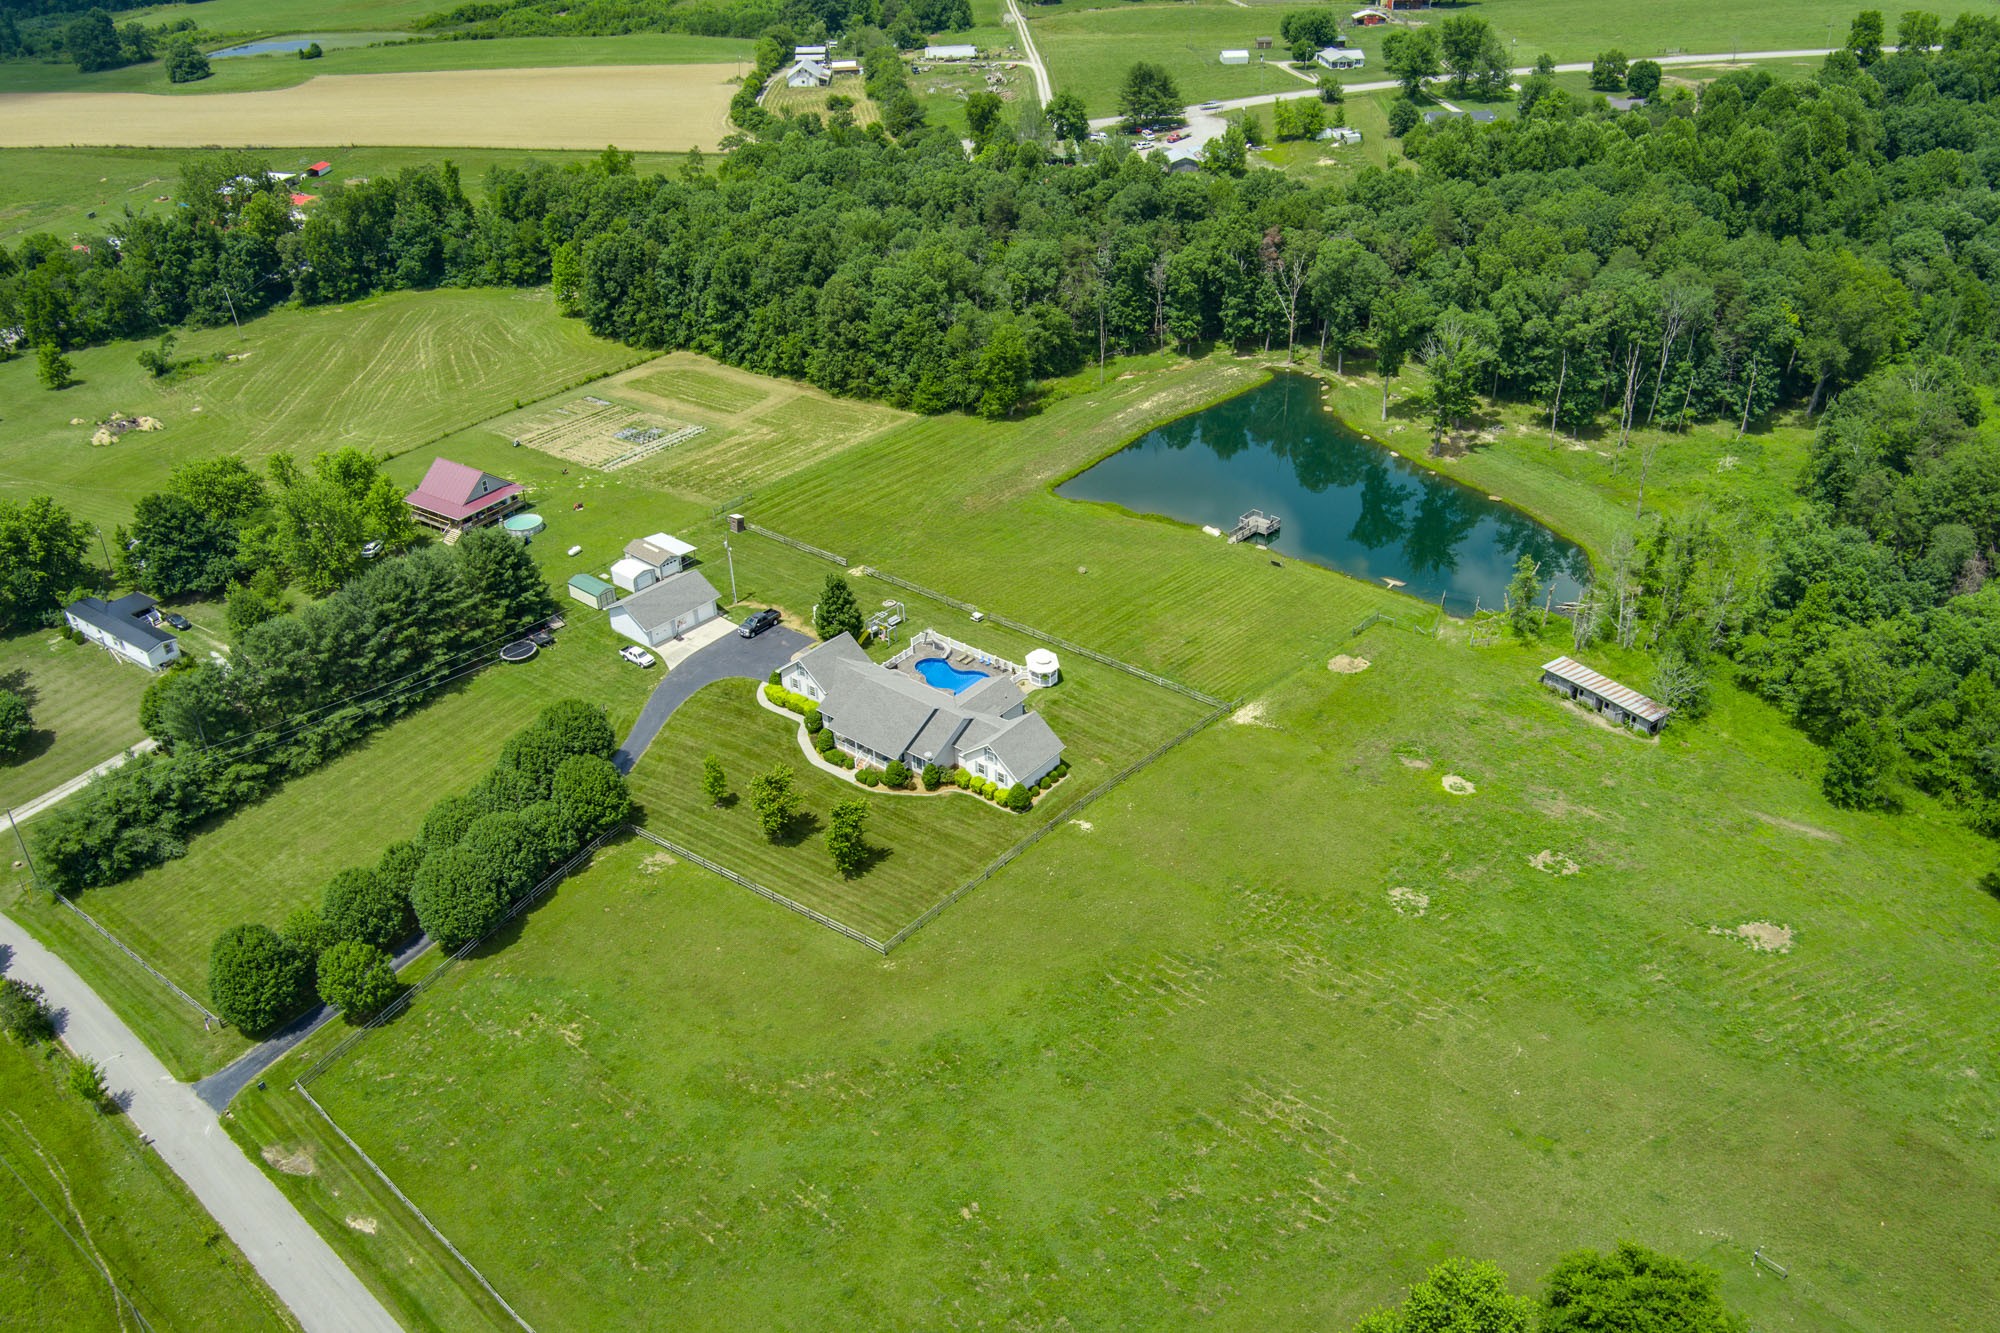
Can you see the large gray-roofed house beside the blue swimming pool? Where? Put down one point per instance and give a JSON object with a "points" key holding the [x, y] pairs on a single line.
{"points": [[879, 716]]}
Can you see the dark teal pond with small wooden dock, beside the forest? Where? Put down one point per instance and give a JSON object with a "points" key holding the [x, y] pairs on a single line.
{"points": [[1345, 501]]}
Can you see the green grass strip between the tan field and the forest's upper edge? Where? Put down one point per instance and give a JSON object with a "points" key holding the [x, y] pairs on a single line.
{"points": [[57, 189]]}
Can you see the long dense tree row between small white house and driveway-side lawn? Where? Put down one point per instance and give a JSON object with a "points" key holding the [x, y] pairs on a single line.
{"points": [[297, 692]]}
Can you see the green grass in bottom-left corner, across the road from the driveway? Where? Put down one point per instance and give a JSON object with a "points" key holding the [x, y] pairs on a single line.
{"points": [[79, 1196]]}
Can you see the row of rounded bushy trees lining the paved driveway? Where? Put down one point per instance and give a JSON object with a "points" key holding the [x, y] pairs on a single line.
{"points": [[551, 792]]}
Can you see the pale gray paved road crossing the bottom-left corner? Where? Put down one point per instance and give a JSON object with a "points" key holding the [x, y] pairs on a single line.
{"points": [[285, 1250]]}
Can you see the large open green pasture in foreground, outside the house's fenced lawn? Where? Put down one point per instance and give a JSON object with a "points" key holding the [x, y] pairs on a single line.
{"points": [[1281, 1028]]}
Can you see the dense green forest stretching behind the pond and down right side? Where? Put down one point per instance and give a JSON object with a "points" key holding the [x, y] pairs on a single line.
{"points": [[1827, 245]]}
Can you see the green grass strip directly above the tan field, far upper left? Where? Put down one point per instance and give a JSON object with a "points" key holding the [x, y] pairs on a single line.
{"points": [[401, 57]]}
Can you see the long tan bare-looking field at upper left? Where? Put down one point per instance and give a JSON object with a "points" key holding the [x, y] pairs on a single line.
{"points": [[649, 109]]}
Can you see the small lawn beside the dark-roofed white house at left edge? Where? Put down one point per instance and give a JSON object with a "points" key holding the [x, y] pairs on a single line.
{"points": [[85, 708]]}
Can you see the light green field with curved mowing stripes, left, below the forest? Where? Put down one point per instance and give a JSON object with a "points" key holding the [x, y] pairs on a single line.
{"points": [[385, 375]]}
